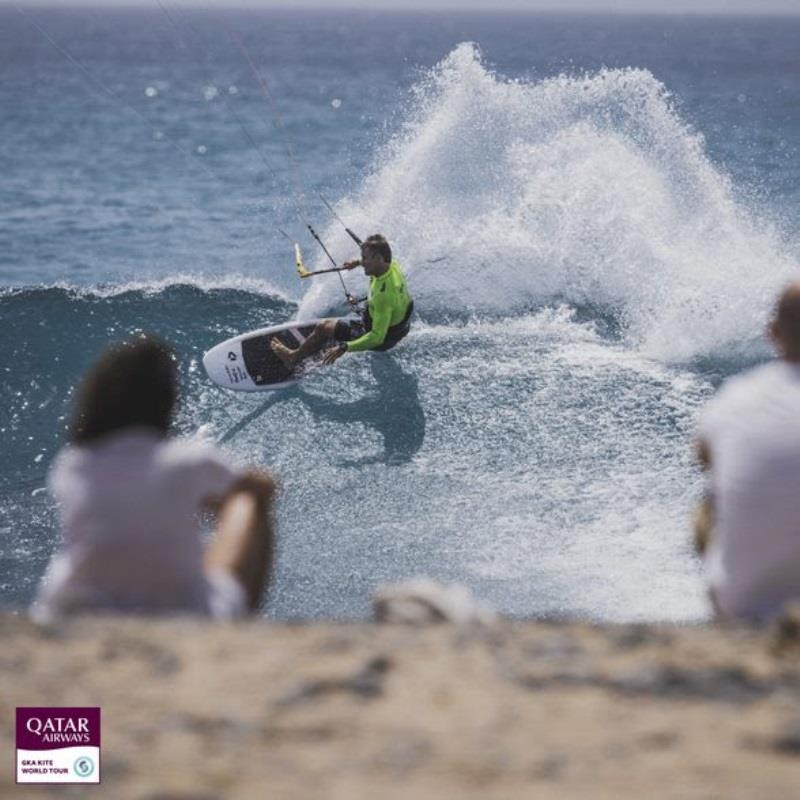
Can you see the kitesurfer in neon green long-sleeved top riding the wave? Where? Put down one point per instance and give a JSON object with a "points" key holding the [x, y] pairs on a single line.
{"points": [[386, 320]]}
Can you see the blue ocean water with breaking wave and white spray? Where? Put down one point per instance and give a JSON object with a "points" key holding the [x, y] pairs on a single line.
{"points": [[594, 213]]}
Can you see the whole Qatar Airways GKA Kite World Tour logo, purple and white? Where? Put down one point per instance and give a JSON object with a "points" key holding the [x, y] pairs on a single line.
{"points": [[58, 745]]}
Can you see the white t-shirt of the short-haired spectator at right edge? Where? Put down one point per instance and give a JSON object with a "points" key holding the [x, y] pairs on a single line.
{"points": [[752, 428]]}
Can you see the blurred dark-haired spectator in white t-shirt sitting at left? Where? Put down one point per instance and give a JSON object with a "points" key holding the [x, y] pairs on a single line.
{"points": [[129, 498]]}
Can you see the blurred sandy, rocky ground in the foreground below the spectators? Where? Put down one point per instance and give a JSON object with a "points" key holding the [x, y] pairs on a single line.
{"points": [[194, 709]]}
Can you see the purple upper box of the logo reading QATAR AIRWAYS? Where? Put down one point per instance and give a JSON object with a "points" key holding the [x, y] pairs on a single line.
{"points": [[50, 728]]}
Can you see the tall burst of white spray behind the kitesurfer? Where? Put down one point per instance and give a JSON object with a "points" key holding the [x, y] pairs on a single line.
{"points": [[590, 190]]}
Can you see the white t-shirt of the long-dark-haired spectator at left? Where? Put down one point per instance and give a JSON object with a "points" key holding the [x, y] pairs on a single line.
{"points": [[129, 509]]}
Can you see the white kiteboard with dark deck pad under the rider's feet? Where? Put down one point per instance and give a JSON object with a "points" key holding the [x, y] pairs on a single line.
{"points": [[246, 362]]}
